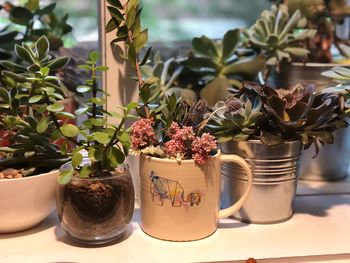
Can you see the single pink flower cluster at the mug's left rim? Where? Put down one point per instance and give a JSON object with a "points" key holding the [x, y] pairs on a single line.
{"points": [[142, 134]]}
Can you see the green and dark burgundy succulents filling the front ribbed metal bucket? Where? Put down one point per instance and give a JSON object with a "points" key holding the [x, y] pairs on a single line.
{"points": [[275, 116]]}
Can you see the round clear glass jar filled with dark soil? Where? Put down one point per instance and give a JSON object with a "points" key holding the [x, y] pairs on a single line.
{"points": [[96, 210]]}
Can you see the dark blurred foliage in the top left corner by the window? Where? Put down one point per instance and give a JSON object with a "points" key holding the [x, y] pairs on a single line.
{"points": [[29, 23]]}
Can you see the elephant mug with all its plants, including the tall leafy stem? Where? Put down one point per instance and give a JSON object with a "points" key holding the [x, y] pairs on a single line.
{"points": [[179, 167]]}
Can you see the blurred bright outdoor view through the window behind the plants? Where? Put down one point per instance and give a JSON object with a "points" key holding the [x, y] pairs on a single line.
{"points": [[167, 20]]}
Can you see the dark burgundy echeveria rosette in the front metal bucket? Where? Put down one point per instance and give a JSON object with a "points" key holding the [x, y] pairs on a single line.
{"points": [[299, 114]]}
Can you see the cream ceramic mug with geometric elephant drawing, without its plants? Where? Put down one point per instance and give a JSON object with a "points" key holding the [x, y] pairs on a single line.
{"points": [[179, 200]]}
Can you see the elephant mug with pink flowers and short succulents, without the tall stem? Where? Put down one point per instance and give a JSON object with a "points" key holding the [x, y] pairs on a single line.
{"points": [[180, 172]]}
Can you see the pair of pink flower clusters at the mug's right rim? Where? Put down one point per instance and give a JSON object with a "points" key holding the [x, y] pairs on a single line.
{"points": [[186, 145]]}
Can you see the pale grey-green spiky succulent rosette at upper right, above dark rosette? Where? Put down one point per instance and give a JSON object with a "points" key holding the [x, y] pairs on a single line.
{"points": [[276, 35]]}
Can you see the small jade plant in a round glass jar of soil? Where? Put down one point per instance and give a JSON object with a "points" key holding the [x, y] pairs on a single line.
{"points": [[95, 195]]}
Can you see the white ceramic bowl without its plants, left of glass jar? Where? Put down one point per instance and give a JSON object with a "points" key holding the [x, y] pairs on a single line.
{"points": [[25, 202]]}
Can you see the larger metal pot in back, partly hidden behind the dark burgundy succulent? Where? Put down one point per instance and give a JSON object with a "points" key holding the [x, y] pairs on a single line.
{"points": [[332, 162]]}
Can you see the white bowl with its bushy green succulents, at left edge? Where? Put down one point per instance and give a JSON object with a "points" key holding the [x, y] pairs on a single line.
{"points": [[29, 156]]}
